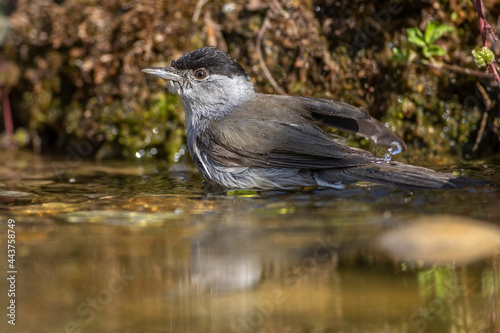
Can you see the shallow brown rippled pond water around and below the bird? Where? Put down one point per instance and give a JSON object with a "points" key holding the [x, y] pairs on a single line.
{"points": [[128, 247]]}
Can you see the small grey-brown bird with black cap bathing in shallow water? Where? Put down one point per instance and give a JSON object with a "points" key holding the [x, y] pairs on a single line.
{"points": [[241, 139]]}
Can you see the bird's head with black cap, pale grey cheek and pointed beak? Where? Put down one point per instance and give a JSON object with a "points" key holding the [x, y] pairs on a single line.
{"points": [[209, 82]]}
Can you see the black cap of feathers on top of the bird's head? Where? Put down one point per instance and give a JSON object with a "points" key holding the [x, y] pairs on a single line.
{"points": [[214, 60]]}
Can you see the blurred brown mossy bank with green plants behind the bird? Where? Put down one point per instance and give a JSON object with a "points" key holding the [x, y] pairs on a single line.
{"points": [[71, 68]]}
